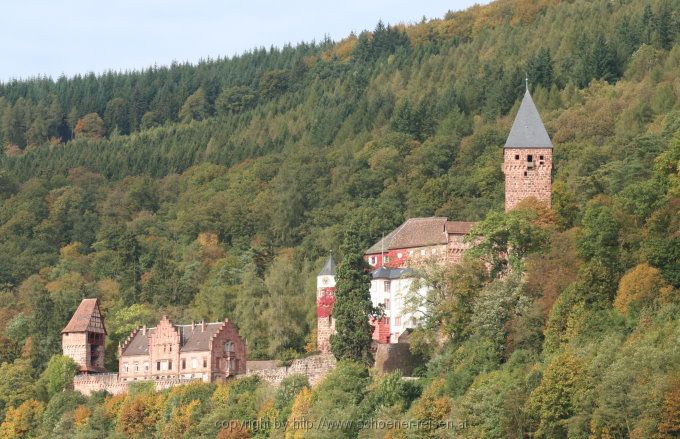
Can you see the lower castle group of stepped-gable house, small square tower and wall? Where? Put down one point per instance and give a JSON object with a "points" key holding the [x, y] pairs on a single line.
{"points": [[168, 354]]}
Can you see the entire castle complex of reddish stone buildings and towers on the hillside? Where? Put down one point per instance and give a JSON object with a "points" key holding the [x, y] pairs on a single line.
{"points": [[171, 354]]}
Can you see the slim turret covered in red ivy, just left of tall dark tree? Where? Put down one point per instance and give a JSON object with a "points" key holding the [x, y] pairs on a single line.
{"points": [[325, 298]]}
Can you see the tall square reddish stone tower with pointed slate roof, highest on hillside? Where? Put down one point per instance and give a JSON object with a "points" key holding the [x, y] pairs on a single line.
{"points": [[527, 161]]}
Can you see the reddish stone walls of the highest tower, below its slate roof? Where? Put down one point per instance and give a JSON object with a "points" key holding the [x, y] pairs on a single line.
{"points": [[524, 181]]}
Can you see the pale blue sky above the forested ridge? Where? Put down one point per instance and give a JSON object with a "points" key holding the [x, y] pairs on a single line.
{"points": [[48, 37]]}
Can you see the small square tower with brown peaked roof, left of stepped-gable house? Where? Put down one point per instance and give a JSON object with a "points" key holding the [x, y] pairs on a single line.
{"points": [[83, 337]]}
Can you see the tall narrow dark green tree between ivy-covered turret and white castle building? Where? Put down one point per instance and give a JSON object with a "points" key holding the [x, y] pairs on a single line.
{"points": [[353, 308]]}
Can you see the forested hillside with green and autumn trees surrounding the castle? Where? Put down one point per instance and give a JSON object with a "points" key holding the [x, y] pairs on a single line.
{"points": [[212, 190]]}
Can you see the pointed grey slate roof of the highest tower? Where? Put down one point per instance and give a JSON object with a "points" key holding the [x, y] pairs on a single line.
{"points": [[528, 130]]}
